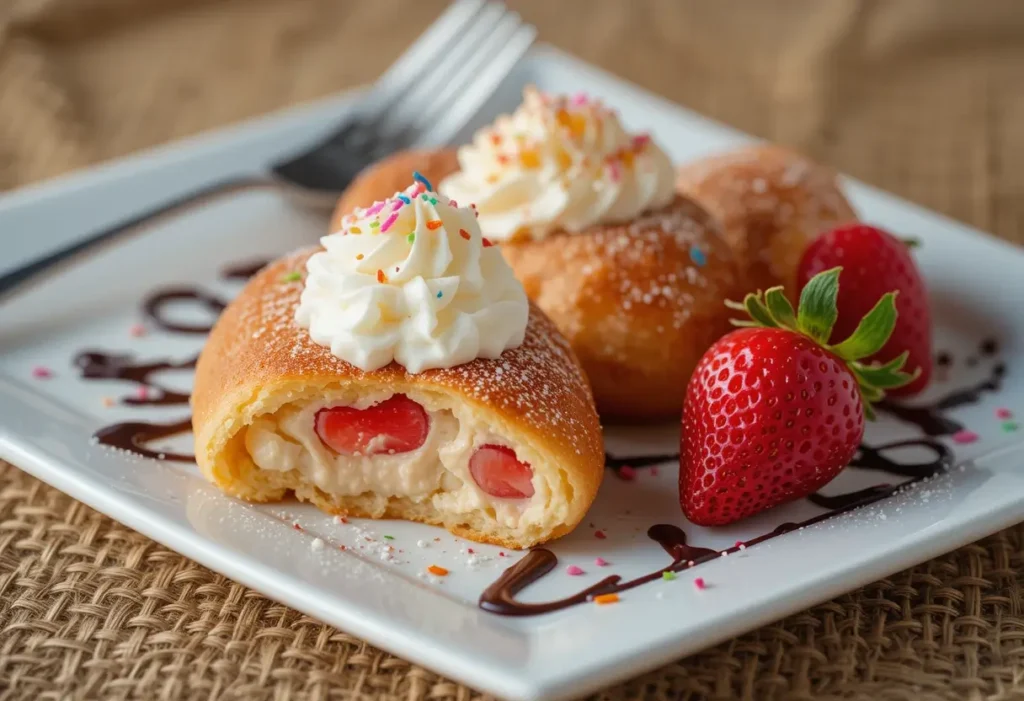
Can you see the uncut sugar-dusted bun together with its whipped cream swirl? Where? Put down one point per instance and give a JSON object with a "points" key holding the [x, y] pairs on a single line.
{"points": [[587, 215]]}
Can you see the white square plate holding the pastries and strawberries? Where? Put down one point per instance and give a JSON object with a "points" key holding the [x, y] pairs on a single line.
{"points": [[381, 595]]}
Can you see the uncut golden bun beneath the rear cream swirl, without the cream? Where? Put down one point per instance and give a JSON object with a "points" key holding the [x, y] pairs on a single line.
{"points": [[639, 312]]}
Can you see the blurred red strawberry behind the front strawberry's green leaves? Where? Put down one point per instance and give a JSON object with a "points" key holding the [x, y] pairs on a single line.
{"points": [[876, 262]]}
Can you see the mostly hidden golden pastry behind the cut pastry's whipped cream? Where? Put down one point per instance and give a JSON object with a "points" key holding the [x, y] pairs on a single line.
{"points": [[387, 178]]}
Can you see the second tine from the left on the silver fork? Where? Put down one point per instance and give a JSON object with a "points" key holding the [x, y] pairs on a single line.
{"points": [[426, 90]]}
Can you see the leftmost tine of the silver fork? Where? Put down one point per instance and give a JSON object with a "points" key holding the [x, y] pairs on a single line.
{"points": [[418, 59]]}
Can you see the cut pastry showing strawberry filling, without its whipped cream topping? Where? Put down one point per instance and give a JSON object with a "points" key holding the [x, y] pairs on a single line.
{"points": [[506, 450]]}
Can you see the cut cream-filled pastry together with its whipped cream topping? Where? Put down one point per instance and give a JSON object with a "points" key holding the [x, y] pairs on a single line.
{"points": [[401, 373]]}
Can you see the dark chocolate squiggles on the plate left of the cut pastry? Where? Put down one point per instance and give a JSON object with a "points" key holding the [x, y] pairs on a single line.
{"points": [[135, 436]]}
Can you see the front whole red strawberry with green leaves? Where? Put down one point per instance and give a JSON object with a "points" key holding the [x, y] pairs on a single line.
{"points": [[774, 413]]}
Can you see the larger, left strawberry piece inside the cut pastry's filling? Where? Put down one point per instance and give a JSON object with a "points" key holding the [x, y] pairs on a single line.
{"points": [[397, 425]]}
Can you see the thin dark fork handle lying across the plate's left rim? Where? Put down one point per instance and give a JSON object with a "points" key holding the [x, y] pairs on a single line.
{"points": [[22, 276]]}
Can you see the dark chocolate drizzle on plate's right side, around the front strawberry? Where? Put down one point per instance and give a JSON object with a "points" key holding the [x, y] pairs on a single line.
{"points": [[500, 598]]}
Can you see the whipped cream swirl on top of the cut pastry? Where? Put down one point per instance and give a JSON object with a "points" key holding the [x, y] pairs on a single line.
{"points": [[413, 281]]}
